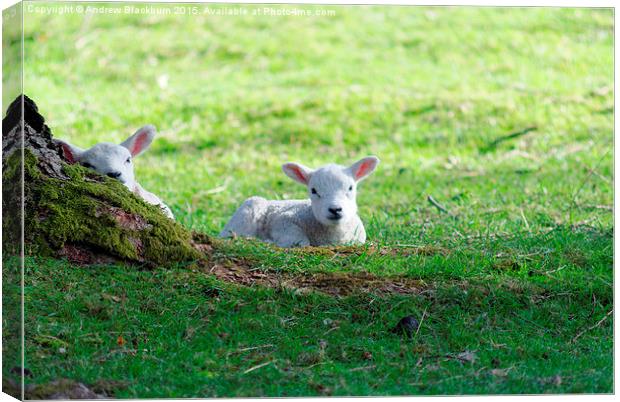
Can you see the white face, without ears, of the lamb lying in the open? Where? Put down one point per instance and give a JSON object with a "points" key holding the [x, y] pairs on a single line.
{"points": [[332, 192]]}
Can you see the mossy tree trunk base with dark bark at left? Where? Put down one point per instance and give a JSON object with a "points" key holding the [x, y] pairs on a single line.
{"points": [[73, 212]]}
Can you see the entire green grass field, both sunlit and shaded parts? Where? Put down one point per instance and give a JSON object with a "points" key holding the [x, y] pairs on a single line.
{"points": [[515, 279]]}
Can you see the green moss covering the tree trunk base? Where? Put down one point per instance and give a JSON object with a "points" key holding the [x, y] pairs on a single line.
{"points": [[78, 212]]}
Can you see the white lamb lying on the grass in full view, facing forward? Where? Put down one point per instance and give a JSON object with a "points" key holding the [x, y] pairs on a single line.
{"points": [[329, 217]]}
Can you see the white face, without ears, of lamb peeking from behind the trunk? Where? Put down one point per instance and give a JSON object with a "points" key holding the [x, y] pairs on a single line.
{"points": [[111, 160]]}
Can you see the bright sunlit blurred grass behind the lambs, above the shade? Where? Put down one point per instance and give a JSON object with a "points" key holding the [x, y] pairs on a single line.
{"points": [[425, 89]]}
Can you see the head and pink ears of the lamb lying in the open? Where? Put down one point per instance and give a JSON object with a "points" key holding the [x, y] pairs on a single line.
{"points": [[332, 188]]}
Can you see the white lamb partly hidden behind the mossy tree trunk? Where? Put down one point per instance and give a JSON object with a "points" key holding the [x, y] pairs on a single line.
{"points": [[116, 161]]}
